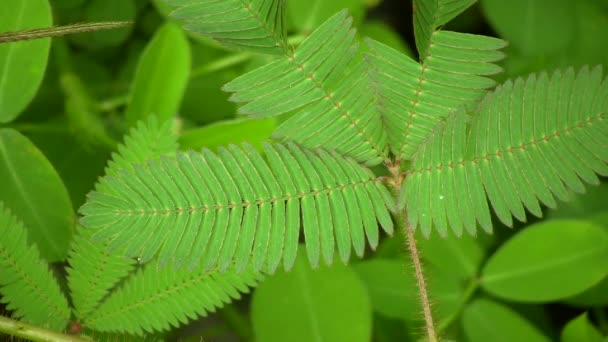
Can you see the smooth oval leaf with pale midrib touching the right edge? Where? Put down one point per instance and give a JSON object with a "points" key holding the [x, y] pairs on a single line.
{"points": [[548, 261]]}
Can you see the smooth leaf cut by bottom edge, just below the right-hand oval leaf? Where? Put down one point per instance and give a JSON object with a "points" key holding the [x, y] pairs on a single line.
{"points": [[486, 320]]}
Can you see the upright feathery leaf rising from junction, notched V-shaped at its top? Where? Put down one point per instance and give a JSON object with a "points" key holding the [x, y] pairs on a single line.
{"points": [[413, 97]]}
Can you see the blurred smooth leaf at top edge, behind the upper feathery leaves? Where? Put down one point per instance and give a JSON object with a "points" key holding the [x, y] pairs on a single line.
{"points": [[305, 16]]}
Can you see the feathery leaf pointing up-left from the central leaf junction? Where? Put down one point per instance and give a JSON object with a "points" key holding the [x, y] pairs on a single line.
{"points": [[326, 88]]}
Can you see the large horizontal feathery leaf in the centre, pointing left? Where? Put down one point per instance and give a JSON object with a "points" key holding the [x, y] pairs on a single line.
{"points": [[236, 207]]}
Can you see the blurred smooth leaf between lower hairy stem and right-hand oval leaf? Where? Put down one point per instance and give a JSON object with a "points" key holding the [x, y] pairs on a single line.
{"points": [[458, 257]]}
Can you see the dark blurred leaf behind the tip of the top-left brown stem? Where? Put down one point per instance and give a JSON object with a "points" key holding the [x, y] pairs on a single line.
{"points": [[106, 10]]}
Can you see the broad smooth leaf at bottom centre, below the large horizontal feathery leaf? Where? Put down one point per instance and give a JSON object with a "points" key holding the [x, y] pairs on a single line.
{"points": [[328, 304]]}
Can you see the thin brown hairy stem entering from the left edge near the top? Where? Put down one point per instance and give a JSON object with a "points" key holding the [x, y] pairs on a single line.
{"points": [[57, 31]]}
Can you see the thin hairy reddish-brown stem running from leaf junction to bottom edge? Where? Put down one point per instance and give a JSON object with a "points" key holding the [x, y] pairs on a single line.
{"points": [[424, 297]]}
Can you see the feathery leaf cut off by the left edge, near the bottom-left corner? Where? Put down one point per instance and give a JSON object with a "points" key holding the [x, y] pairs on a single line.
{"points": [[26, 283]]}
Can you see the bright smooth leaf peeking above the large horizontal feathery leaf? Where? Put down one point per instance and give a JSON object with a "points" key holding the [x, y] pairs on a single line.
{"points": [[228, 132]]}
